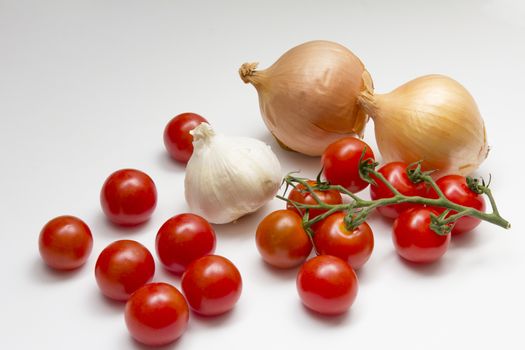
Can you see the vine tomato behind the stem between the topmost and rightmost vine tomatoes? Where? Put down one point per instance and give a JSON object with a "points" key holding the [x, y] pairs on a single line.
{"points": [[396, 174]]}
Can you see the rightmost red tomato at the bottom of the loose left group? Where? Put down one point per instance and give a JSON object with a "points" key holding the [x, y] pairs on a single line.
{"points": [[212, 285]]}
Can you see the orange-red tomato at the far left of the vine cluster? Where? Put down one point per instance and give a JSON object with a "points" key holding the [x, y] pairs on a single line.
{"points": [[282, 240]]}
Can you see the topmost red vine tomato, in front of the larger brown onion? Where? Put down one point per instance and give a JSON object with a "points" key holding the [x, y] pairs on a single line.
{"points": [[341, 163]]}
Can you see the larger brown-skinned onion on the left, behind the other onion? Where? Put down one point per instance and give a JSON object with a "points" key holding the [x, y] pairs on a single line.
{"points": [[308, 97]]}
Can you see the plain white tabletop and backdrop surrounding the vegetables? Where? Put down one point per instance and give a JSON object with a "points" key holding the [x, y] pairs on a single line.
{"points": [[86, 88]]}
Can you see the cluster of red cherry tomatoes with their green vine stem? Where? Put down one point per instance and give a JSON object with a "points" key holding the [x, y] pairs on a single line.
{"points": [[426, 214]]}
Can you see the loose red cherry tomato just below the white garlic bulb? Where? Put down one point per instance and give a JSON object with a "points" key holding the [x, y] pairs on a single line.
{"points": [[183, 239]]}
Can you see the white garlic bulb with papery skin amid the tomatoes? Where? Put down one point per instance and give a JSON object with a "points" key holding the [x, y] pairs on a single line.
{"points": [[228, 177]]}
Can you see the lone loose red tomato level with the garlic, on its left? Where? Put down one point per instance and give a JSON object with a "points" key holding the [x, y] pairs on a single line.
{"points": [[128, 197]]}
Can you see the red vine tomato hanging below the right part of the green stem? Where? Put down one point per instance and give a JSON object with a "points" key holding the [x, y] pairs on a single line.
{"points": [[413, 238]]}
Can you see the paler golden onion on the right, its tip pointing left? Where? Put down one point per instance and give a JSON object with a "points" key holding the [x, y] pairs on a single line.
{"points": [[432, 118]]}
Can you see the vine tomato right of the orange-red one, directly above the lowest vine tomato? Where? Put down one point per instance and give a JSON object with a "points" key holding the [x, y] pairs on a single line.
{"points": [[333, 238]]}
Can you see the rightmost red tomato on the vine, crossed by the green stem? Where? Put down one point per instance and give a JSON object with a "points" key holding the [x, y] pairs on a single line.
{"points": [[455, 188]]}
